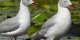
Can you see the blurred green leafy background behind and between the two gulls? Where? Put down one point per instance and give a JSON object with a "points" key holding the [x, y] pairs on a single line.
{"points": [[41, 13]]}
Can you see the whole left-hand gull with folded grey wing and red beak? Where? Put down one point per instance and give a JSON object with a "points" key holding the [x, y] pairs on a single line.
{"points": [[19, 24]]}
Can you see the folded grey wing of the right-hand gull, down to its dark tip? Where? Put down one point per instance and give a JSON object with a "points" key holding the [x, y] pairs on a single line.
{"points": [[43, 30]]}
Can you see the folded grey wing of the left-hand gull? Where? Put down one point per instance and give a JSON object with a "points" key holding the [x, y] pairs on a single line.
{"points": [[9, 25]]}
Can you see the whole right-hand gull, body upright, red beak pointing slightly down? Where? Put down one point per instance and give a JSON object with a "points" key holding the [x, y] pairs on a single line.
{"points": [[58, 25]]}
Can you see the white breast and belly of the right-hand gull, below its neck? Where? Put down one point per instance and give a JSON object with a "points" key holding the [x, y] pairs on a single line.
{"points": [[61, 27]]}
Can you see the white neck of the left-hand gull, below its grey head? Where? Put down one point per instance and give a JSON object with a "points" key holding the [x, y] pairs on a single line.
{"points": [[23, 11]]}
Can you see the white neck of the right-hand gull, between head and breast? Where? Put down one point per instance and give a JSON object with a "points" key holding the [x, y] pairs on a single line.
{"points": [[62, 11]]}
